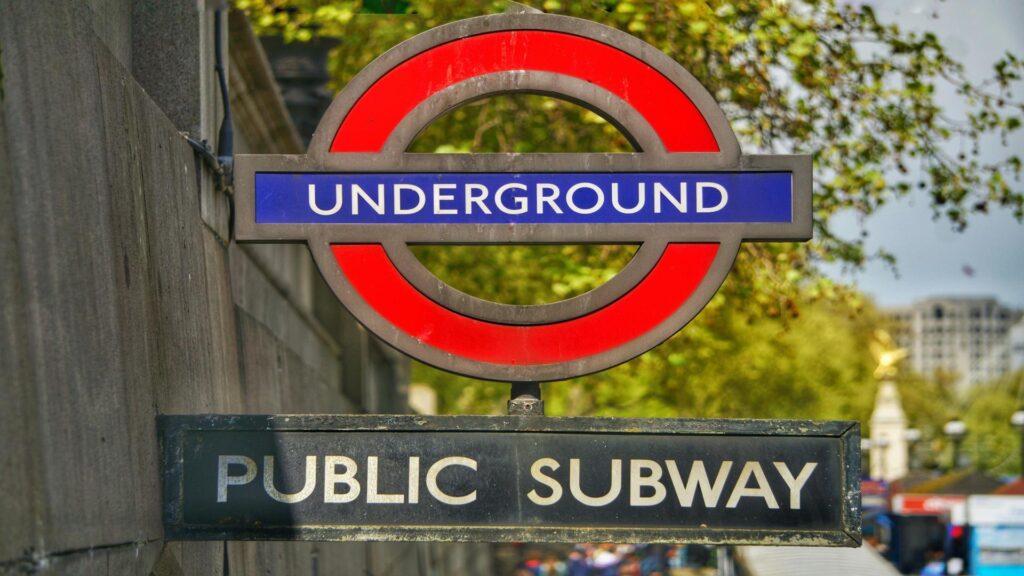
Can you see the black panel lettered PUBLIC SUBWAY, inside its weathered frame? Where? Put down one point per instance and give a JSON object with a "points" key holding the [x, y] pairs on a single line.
{"points": [[509, 479]]}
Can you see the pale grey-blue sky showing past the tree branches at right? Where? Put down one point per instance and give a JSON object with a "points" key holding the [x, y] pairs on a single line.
{"points": [[931, 257]]}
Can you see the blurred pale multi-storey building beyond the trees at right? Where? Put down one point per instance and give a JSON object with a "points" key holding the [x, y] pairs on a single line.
{"points": [[967, 338]]}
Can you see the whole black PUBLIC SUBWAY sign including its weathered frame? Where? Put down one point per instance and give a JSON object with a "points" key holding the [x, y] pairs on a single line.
{"points": [[509, 479]]}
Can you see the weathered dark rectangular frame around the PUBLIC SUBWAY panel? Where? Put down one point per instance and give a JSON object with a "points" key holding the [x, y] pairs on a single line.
{"points": [[846, 435]]}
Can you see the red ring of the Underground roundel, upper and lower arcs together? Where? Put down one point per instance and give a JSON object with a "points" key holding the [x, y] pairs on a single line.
{"points": [[673, 116]]}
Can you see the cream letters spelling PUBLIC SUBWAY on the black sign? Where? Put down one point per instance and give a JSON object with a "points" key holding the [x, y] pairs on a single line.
{"points": [[649, 482]]}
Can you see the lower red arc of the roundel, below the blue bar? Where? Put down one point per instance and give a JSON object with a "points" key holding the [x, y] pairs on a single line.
{"points": [[672, 281]]}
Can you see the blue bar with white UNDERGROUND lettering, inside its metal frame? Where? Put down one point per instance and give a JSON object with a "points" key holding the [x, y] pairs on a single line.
{"points": [[524, 198]]}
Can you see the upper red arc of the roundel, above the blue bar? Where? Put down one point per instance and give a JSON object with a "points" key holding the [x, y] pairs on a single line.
{"points": [[669, 111]]}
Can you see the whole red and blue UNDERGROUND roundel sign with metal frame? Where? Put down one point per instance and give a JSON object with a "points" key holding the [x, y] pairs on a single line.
{"points": [[688, 197]]}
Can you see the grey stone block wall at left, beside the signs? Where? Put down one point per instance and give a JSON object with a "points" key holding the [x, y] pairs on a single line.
{"points": [[122, 297]]}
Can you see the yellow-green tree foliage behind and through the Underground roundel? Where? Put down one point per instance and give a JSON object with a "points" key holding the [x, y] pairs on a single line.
{"points": [[819, 77]]}
